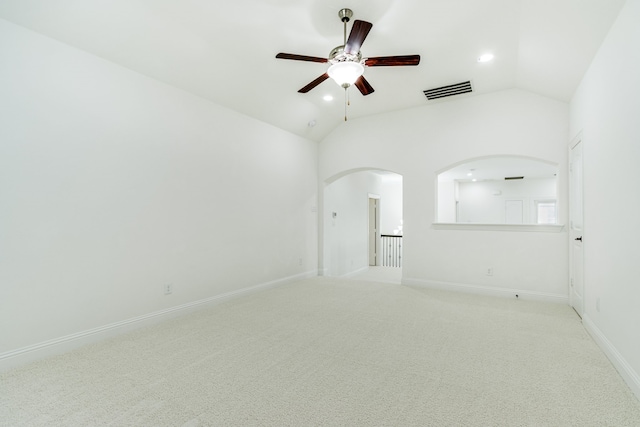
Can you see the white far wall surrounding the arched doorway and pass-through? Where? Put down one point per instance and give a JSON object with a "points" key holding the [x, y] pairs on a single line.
{"points": [[431, 138]]}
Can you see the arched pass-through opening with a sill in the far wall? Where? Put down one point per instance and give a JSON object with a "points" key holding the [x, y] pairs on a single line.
{"points": [[498, 190]]}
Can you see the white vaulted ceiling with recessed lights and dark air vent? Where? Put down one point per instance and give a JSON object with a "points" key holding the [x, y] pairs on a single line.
{"points": [[225, 50]]}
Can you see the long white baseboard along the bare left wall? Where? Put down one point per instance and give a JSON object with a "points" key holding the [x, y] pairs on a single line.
{"points": [[41, 350]]}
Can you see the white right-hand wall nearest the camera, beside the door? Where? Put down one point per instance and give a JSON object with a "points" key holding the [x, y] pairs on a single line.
{"points": [[606, 109]]}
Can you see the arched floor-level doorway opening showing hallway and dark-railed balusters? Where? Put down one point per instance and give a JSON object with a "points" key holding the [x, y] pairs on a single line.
{"points": [[362, 215]]}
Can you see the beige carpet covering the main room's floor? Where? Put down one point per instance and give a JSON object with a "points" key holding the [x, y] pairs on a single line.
{"points": [[328, 352]]}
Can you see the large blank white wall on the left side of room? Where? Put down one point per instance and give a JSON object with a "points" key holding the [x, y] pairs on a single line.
{"points": [[113, 184]]}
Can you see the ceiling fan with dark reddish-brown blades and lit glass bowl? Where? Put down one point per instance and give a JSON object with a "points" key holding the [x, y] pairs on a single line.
{"points": [[347, 63]]}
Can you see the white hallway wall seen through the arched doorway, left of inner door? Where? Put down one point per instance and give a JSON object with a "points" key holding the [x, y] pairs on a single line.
{"points": [[347, 235]]}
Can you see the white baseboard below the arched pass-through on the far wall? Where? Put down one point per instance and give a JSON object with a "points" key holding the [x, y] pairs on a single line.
{"points": [[486, 290]]}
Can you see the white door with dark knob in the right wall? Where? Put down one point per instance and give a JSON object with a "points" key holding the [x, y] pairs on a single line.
{"points": [[576, 288]]}
